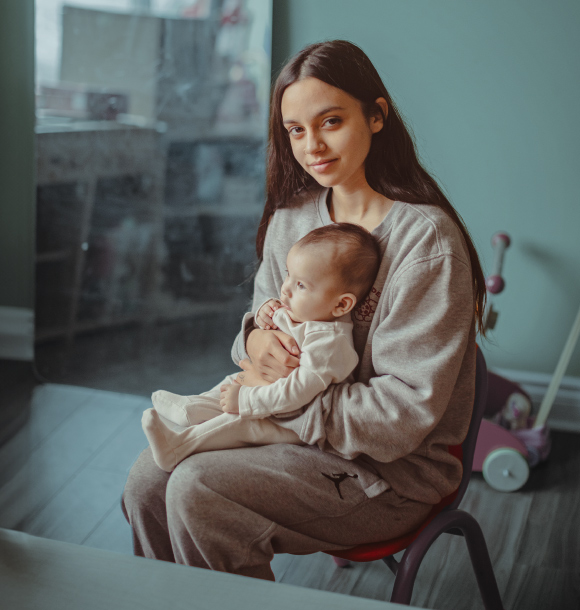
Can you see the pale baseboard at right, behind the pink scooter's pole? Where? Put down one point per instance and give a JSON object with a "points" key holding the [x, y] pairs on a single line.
{"points": [[565, 413]]}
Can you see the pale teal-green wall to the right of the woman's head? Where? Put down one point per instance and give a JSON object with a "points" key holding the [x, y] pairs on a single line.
{"points": [[491, 90]]}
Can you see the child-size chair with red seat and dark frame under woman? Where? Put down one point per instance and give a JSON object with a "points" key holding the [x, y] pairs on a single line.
{"points": [[445, 517]]}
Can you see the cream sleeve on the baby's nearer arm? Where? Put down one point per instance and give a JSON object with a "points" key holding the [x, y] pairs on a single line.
{"points": [[327, 357]]}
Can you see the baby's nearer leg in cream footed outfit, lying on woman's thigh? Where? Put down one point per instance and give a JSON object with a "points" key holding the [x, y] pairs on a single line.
{"points": [[171, 444]]}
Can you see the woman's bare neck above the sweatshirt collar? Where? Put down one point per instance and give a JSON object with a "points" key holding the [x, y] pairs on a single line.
{"points": [[362, 206]]}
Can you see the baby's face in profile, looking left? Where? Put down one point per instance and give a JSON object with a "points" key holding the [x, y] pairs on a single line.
{"points": [[311, 290]]}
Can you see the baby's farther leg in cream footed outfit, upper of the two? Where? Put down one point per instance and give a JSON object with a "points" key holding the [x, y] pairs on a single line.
{"points": [[190, 410]]}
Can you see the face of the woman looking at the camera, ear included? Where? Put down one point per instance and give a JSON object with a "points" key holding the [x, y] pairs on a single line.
{"points": [[329, 133]]}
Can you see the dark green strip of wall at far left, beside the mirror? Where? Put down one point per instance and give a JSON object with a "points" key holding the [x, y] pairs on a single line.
{"points": [[17, 199]]}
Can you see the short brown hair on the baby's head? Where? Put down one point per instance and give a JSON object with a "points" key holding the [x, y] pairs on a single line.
{"points": [[357, 255]]}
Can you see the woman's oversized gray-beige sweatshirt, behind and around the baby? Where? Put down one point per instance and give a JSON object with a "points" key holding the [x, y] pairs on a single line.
{"points": [[415, 336]]}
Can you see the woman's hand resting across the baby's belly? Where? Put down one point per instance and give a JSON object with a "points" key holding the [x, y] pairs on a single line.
{"points": [[274, 354]]}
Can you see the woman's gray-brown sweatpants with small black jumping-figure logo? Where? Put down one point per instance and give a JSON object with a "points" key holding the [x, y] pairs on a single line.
{"points": [[231, 510]]}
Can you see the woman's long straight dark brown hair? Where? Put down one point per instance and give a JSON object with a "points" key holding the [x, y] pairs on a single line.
{"points": [[392, 167]]}
